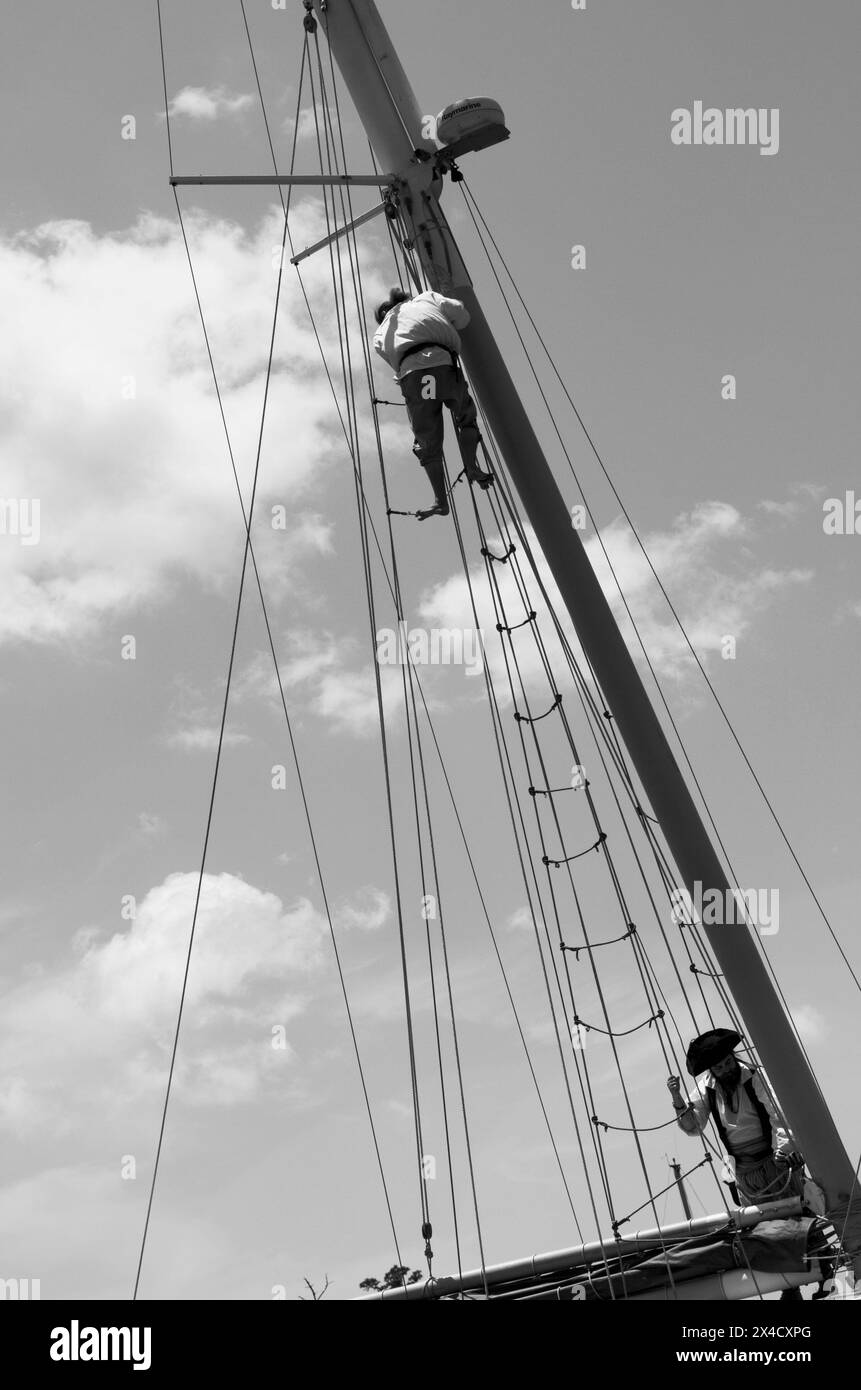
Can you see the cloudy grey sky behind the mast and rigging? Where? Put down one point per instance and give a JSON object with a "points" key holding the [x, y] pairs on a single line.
{"points": [[702, 262]]}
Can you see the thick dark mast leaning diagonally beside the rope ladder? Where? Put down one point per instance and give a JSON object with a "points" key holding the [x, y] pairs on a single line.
{"points": [[394, 123]]}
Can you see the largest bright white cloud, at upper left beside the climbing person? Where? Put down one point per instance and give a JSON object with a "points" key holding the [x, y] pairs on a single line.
{"points": [[109, 416]]}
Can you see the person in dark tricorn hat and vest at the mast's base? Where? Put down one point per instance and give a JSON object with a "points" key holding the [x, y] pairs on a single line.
{"points": [[763, 1161]]}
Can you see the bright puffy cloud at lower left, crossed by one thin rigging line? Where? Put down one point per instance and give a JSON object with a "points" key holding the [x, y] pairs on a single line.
{"points": [[109, 1017]]}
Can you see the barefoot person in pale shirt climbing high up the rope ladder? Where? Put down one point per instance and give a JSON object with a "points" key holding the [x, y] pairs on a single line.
{"points": [[418, 337]]}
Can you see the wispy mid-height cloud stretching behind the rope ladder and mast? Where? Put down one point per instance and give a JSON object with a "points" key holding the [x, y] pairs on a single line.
{"points": [[707, 561]]}
